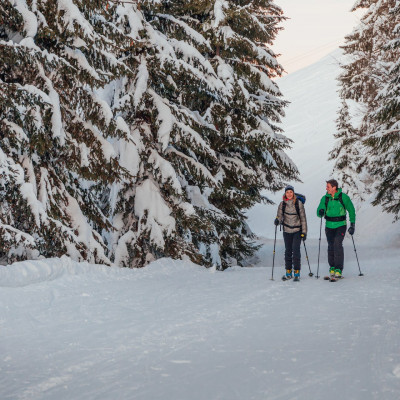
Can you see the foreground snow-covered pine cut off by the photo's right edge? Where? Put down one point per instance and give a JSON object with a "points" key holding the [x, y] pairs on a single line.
{"points": [[385, 142]]}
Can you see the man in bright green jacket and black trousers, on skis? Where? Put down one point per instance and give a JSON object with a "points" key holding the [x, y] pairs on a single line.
{"points": [[333, 207]]}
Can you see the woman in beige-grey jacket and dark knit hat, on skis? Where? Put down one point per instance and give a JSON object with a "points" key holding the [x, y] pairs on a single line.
{"points": [[292, 216]]}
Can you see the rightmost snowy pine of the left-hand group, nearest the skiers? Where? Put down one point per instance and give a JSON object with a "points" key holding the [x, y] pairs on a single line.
{"points": [[251, 149]]}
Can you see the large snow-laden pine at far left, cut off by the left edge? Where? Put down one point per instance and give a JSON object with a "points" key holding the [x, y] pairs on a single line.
{"points": [[54, 153]]}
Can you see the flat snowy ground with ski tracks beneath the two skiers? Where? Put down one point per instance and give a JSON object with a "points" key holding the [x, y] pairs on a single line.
{"points": [[176, 331]]}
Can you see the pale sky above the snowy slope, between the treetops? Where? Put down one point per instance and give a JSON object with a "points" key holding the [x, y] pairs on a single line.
{"points": [[315, 28]]}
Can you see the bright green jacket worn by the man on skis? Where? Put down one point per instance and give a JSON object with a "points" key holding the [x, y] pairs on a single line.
{"points": [[335, 209]]}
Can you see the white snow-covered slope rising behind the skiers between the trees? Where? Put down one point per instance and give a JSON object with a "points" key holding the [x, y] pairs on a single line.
{"points": [[310, 123]]}
